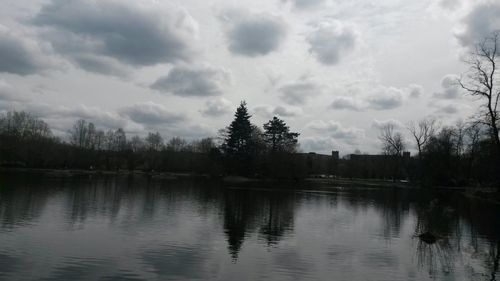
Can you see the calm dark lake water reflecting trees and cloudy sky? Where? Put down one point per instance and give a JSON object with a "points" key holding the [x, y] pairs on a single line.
{"points": [[124, 229]]}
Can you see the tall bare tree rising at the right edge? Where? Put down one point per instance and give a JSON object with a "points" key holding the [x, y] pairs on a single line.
{"points": [[482, 80]]}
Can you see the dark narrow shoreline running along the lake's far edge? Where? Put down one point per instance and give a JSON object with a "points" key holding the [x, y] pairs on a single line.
{"points": [[487, 194]]}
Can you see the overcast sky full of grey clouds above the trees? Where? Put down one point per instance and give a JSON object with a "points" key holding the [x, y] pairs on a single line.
{"points": [[334, 70]]}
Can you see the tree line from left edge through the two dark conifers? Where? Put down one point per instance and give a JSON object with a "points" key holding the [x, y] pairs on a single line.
{"points": [[27, 141]]}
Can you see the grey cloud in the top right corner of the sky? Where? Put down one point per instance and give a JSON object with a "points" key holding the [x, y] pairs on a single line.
{"points": [[481, 22]]}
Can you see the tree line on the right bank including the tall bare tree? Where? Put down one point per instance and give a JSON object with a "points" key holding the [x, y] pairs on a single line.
{"points": [[467, 152]]}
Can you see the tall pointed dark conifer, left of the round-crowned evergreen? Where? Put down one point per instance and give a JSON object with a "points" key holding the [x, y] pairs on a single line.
{"points": [[238, 140]]}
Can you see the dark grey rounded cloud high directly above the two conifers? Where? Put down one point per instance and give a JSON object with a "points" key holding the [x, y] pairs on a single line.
{"points": [[253, 34]]}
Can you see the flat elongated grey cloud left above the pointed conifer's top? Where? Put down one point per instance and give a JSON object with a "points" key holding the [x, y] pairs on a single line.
{"points": [[150, 113]]}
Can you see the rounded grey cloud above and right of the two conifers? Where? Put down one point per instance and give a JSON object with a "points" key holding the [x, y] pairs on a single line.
{"points": [[330, 41]]}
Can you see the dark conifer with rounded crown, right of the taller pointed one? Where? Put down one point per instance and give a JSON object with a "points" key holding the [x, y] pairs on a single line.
{"points": [[278, 137]]}
